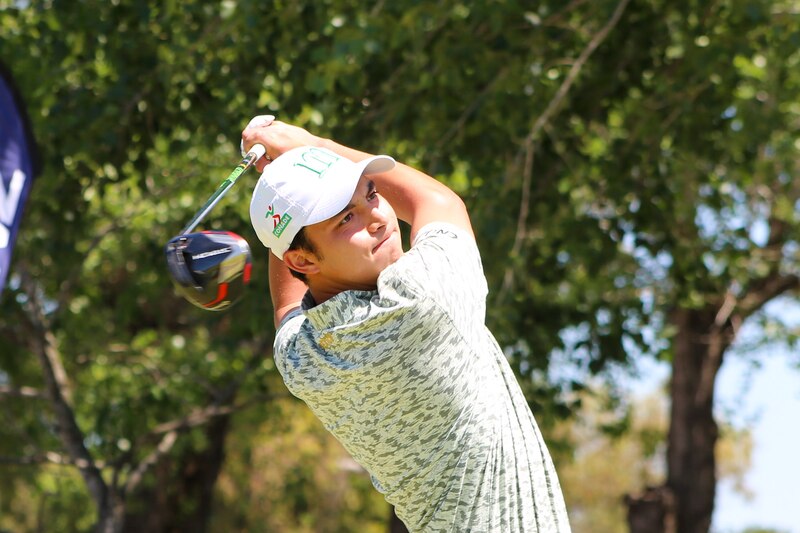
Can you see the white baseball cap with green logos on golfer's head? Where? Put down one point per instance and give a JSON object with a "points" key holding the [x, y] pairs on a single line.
{"points": [[304, 186]]}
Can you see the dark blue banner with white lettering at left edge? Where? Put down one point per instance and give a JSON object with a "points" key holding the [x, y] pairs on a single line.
{"points": [[16, 168]]}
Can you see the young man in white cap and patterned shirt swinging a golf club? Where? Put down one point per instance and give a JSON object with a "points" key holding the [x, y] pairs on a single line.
{"points": [[389, 348]]}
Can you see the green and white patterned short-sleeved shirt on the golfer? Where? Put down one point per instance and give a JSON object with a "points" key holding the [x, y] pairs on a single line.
{"points": [[417, 390]]}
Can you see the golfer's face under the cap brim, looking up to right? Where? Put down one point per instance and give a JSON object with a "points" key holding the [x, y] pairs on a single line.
{"points": [[357, 244]]}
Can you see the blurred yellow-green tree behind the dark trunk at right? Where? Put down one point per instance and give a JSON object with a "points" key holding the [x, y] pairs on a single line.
{"points": [[619, 448]]}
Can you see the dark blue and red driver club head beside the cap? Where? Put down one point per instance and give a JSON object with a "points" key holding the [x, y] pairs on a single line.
{"points": [[210, 269]]}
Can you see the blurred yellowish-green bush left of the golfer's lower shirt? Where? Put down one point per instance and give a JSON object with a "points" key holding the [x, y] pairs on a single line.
{"points": [[288, 474]]}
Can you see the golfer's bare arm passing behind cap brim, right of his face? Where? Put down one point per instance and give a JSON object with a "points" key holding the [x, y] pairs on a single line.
{"points": [[416, 197]]}
